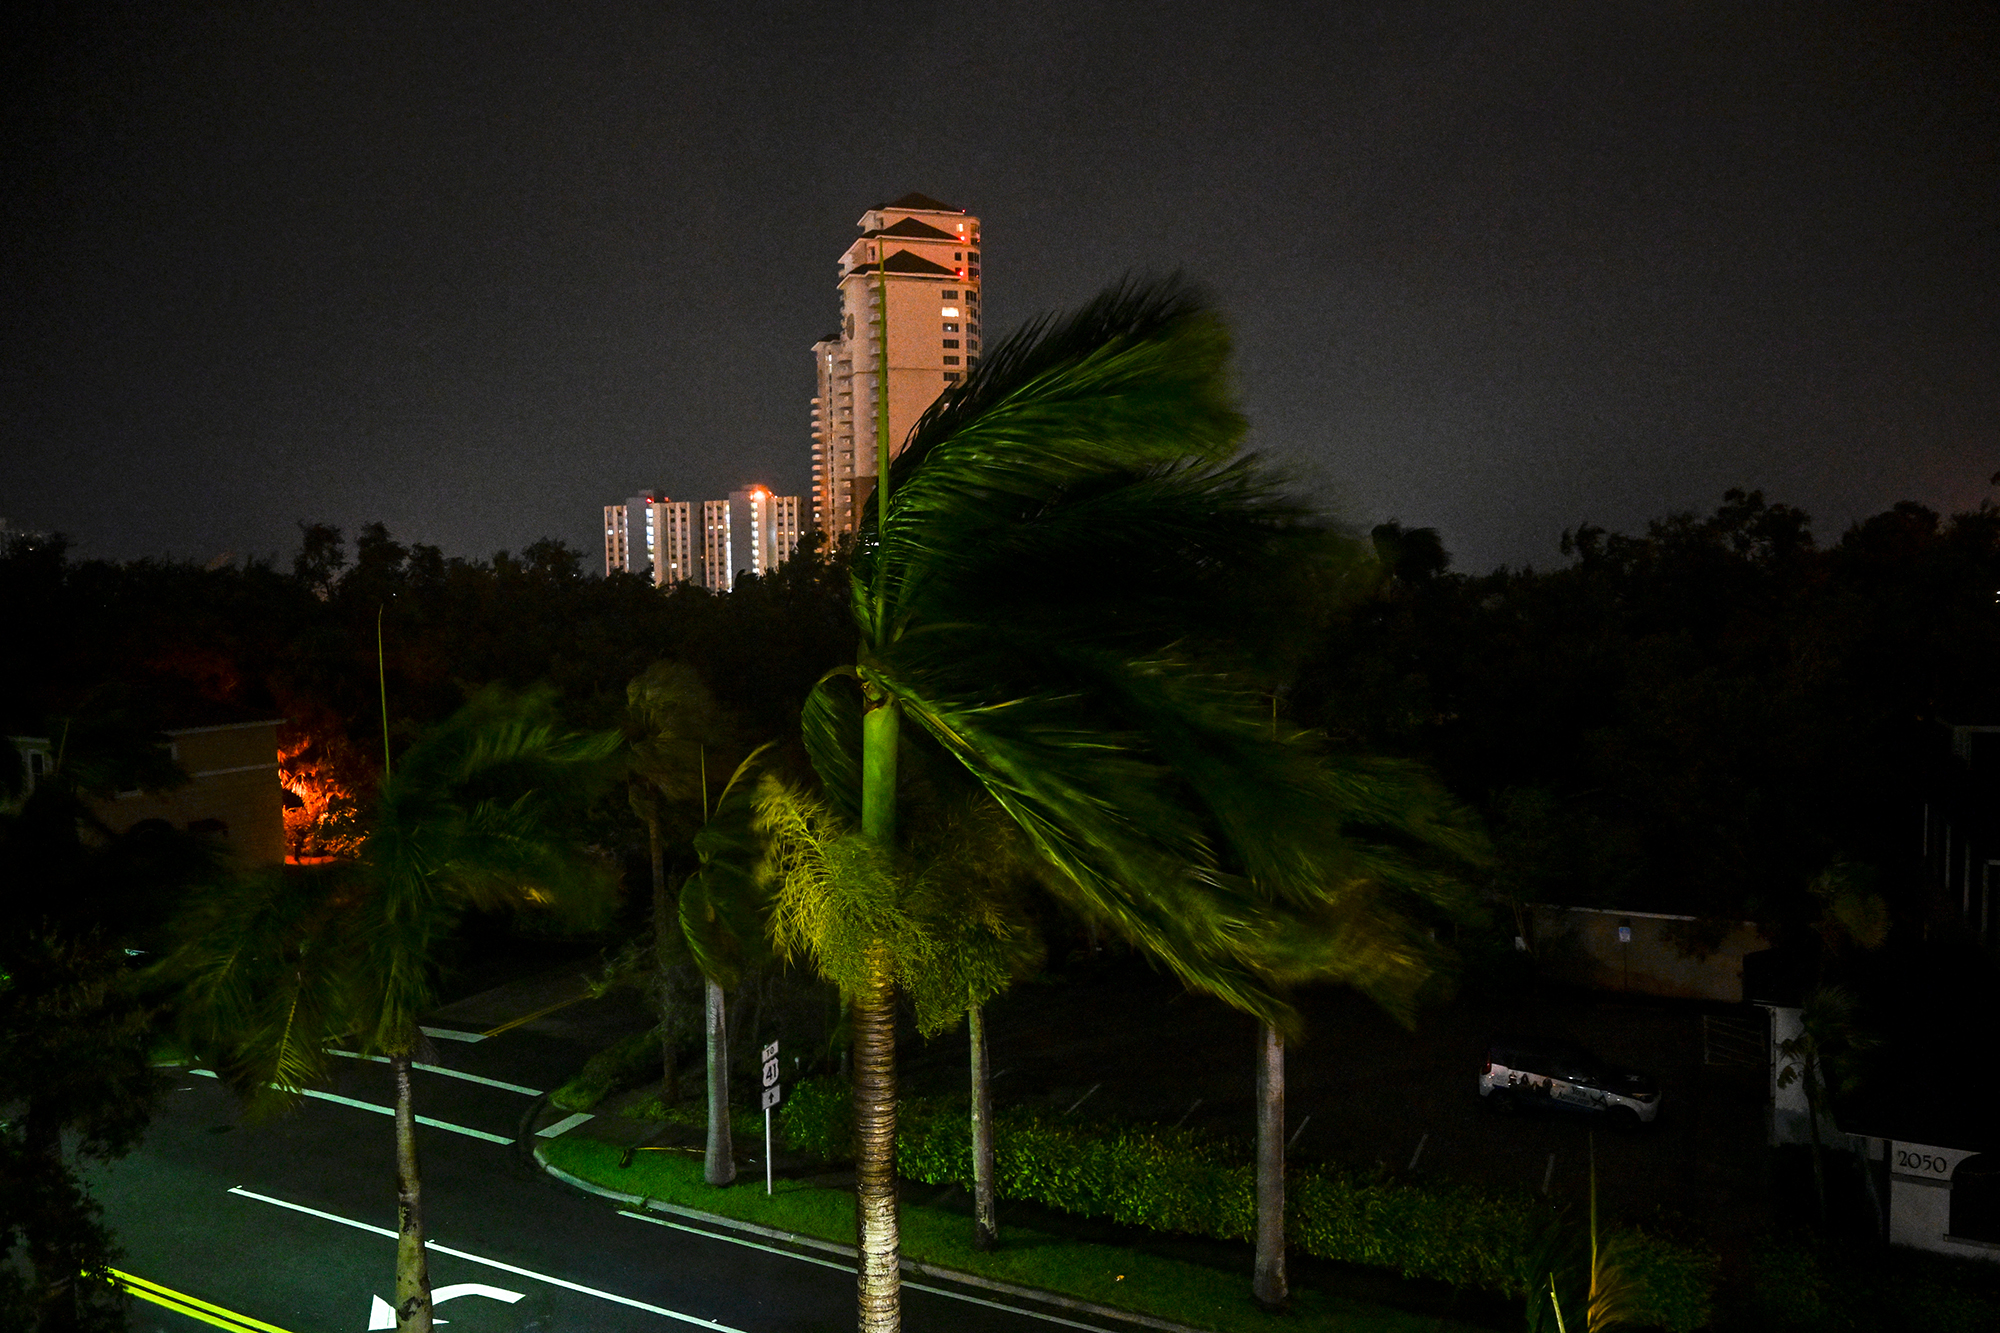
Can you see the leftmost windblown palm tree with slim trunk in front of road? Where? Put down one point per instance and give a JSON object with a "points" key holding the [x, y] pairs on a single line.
{"points": [[279, 968]]}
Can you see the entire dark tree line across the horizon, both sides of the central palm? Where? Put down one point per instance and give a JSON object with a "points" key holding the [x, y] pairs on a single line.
{"points": [[1701, 718]]}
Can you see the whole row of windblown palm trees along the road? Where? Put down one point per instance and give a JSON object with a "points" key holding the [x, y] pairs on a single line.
{"points": [[1067, 597]]}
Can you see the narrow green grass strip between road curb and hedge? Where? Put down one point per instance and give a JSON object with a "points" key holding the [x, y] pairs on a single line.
{"points": [[1113, 1276]]}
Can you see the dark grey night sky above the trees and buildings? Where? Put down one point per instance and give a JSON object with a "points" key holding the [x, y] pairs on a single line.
{"points": [[479, 269]]}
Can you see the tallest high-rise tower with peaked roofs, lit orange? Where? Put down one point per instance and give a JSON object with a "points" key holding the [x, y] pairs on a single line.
{"points": [[923, 259]]}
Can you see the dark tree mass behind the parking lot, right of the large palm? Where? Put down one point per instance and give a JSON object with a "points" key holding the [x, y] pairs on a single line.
{"points": [[1697, 720]]}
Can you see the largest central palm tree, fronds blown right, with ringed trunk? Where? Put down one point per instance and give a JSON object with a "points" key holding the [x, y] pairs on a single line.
{"points": [[1055, 581]]}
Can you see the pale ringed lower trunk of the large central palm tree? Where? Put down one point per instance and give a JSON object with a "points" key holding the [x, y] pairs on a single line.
{"points": [[879, 1280]]}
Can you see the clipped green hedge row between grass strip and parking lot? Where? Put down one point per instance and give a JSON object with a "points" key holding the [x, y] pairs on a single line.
{"points": [[1177, 1180]]}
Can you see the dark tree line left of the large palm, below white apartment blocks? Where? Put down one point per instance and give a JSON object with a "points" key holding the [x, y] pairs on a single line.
{"points": [[303, 643]]}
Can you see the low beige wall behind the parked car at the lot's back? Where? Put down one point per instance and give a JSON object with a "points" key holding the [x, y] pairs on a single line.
{"points": [[1645, 954]]}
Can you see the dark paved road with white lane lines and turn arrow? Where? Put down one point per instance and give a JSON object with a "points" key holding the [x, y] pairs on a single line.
{"points": [[289, 1226]]}
